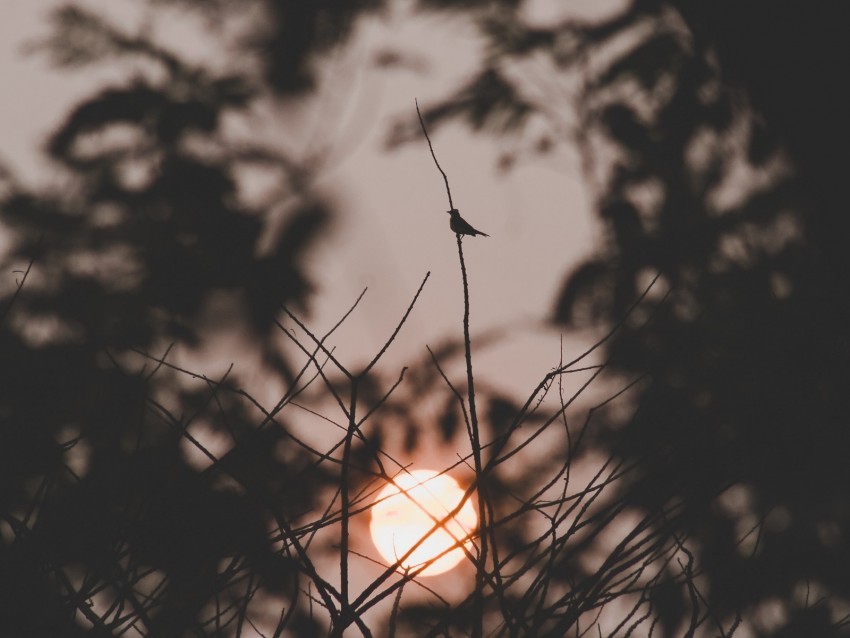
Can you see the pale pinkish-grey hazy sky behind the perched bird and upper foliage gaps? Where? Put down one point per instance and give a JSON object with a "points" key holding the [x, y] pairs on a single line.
{"points": [[392, 226]]}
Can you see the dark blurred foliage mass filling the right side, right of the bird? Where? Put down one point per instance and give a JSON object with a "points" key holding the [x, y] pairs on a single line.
{"points": [[720, 132]]}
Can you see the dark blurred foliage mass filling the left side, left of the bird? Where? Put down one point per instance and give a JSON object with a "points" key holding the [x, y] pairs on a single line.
{"points": [[147, 244]]}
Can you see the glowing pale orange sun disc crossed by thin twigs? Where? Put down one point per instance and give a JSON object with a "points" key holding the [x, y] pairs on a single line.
{"points": [[405, 512]]}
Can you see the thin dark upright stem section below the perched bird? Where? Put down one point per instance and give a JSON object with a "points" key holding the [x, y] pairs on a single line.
{"points": [[481, 565]]}
